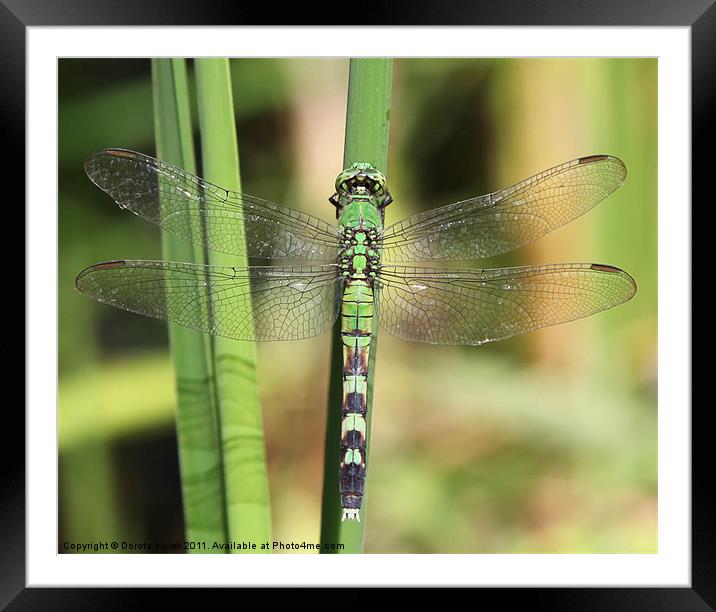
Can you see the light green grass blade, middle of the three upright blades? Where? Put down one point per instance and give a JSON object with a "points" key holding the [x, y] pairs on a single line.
{"points": [[245, 472]]}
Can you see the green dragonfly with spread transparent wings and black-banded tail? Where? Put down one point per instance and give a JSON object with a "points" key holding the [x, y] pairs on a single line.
{"points": [[312, 272]]}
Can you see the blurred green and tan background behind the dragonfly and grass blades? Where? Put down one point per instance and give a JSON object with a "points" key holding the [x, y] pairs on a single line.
{"points": [[540, 444]]}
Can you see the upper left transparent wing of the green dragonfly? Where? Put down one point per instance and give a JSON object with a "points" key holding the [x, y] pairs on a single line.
{"points": [[205, 214]]}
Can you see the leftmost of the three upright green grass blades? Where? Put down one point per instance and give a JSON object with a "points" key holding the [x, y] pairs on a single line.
{"points": [[197, 426]]}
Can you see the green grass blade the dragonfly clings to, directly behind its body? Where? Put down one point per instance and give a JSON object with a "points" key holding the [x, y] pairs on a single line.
{"points": [[367, 122]]}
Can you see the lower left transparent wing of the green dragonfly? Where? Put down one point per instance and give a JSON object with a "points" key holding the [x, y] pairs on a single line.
{"points": [[254, 303]]}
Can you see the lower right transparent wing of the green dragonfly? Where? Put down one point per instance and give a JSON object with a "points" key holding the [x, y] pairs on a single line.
{"points": [[479, 306]]}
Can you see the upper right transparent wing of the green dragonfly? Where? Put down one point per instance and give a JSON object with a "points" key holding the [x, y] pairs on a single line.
{"points": [[502, 221]]}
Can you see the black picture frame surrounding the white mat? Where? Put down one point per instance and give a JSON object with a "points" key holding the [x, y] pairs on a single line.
{"points": [[17, 15]]}
